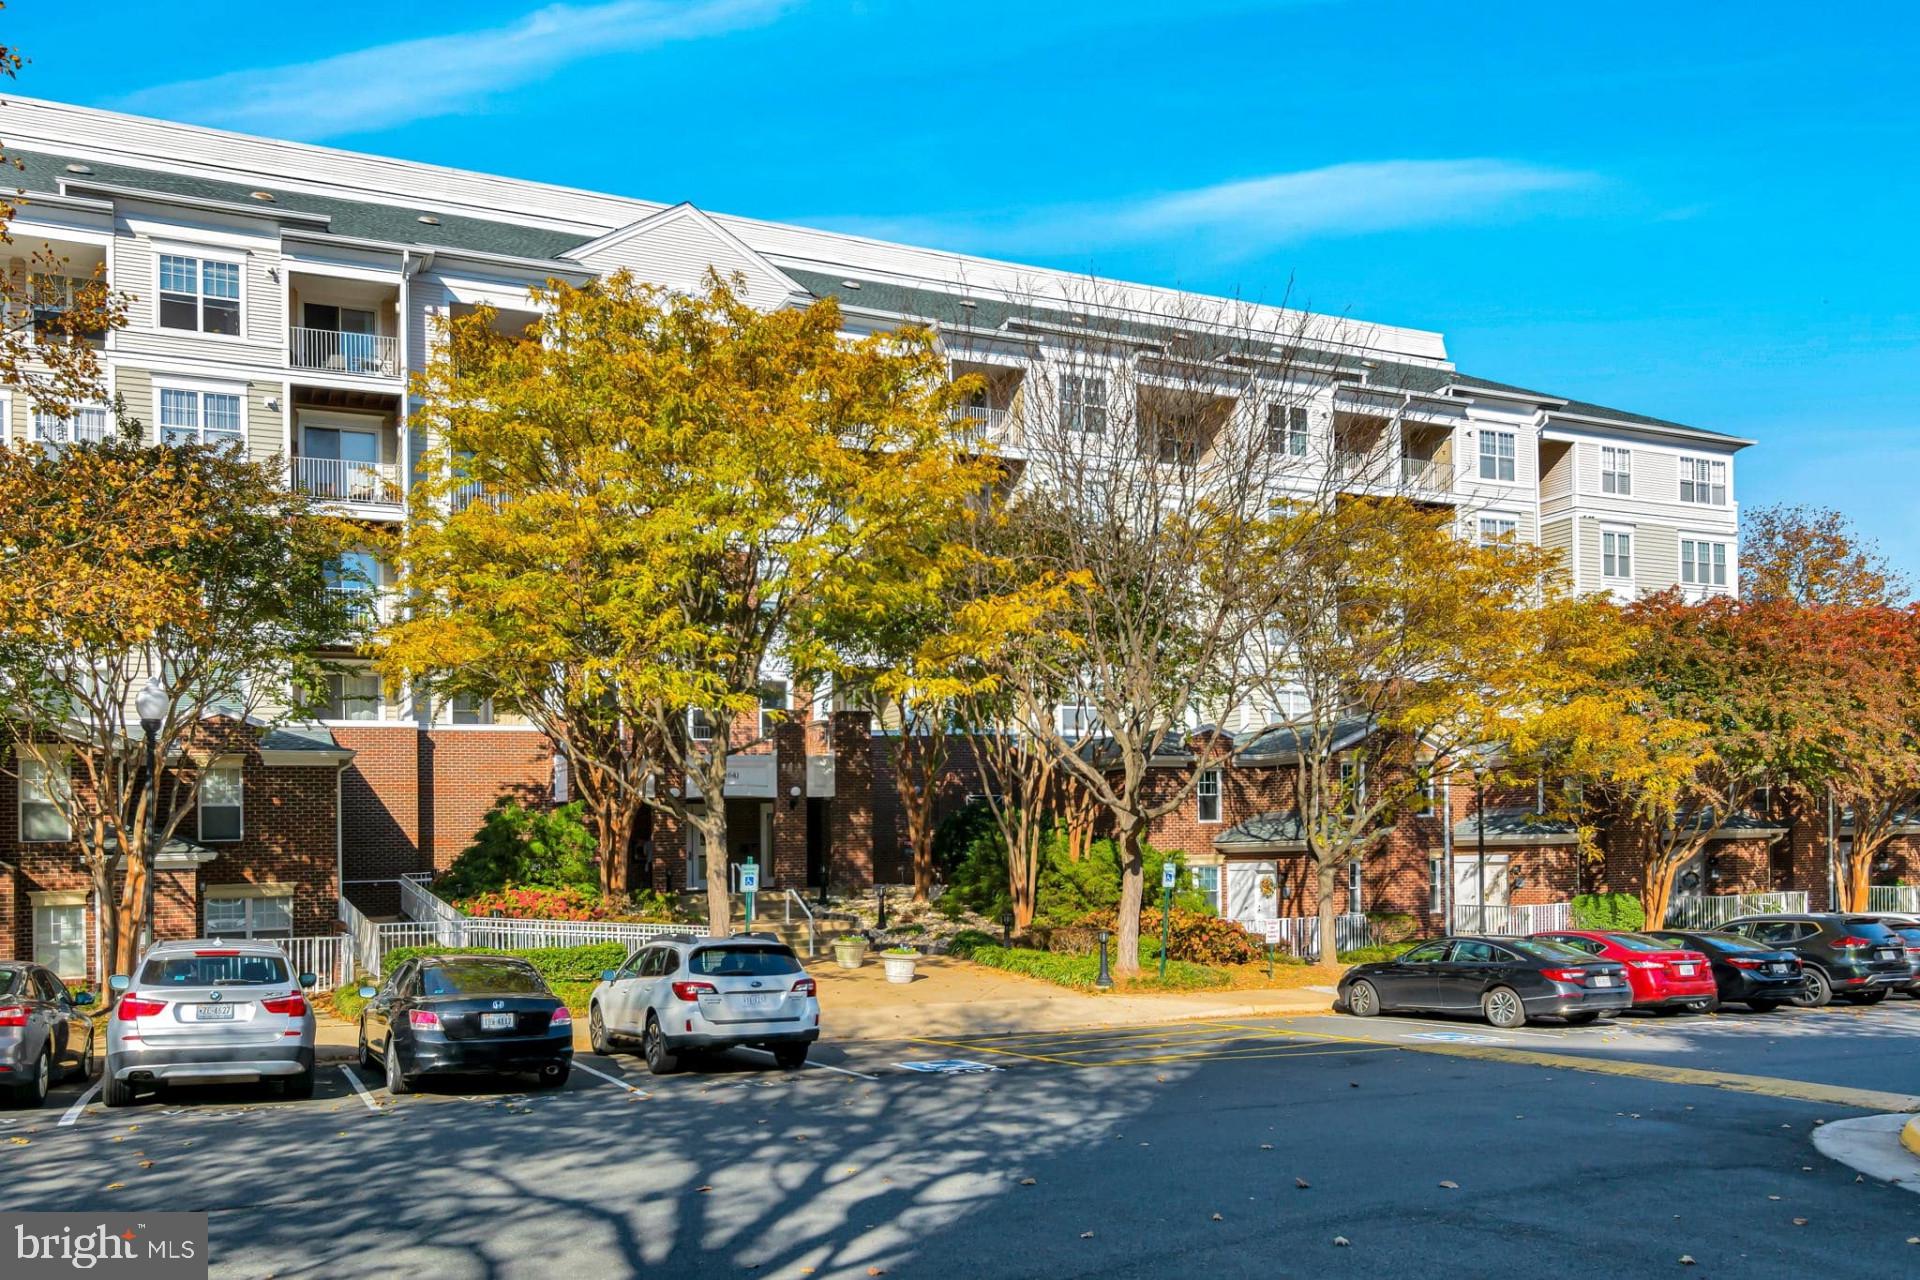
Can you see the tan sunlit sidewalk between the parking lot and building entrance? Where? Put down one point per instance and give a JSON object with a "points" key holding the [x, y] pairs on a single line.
{"points": [[957, 999]]}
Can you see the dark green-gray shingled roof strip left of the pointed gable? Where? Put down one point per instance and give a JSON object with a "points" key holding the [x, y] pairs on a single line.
{"points": [[350, 218]]}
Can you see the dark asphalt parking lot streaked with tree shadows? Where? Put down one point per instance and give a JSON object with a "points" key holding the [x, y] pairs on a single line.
{"points": [[1115, 1152]]}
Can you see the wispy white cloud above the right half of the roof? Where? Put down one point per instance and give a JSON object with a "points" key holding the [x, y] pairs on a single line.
{"points": [[1253, 216]]}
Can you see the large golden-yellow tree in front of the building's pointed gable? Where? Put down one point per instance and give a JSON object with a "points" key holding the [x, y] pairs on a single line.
{"points": [[629, 510]]}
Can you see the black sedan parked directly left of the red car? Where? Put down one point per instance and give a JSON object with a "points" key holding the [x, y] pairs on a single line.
{"points": [[1504, 980]]}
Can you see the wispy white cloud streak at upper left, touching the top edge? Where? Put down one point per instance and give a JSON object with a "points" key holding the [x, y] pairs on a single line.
{"points": [[437, 76]]}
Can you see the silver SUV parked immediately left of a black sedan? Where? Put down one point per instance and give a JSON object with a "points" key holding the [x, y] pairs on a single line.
{"points": [[208, 1014]]}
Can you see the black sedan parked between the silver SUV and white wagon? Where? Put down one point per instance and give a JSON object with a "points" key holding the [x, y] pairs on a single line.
{"points": [[464, 1016]]}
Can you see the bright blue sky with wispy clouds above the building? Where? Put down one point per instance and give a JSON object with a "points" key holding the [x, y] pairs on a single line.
{"points": [[1700, 212]]}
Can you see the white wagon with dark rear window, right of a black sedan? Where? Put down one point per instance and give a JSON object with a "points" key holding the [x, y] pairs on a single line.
{"points": [[686, 995]]}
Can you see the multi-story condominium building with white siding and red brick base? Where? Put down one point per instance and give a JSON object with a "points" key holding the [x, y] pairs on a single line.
{"points": [[281, 298]]}
